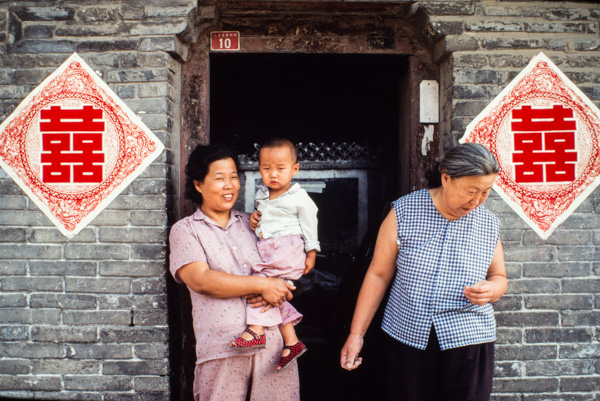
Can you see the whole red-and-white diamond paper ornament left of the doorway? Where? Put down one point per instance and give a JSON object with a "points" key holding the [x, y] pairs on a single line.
{"points": [[72, 145]]}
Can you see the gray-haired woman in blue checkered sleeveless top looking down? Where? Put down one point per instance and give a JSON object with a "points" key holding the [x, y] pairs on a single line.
{"points": [[440, 249]]}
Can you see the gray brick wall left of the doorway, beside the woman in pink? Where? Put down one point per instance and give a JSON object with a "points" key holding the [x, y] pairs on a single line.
{"points": [[87, 318]]}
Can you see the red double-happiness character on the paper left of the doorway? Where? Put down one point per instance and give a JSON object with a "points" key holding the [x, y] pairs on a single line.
{"points": [[69, 156]]}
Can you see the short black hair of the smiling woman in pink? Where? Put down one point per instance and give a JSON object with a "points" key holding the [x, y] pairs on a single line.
{"points": [[199, 163]]}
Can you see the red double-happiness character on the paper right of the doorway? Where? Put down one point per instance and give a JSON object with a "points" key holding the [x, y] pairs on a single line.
{"points": [[544, 144]]}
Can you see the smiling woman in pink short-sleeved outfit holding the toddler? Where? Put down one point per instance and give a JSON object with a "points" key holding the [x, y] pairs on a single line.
{"points": [[211, 252]]}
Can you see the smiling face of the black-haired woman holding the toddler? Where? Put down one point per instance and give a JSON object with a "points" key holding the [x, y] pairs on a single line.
{"points": [[220, 187]]}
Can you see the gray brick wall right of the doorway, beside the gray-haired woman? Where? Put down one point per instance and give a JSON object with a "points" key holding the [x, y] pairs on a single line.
{"points": [[548, 322]]}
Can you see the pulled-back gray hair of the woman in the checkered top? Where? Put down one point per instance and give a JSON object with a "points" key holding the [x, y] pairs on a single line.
{"points": [[467, 159]]}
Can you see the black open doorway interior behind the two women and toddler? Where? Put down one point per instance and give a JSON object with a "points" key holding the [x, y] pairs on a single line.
{"points": [[317, 98]]}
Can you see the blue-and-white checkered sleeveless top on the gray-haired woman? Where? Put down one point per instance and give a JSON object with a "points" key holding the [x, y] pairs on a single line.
{"points": [[437, 258]]}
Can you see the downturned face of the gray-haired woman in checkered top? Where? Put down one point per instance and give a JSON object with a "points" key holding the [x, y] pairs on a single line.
{"points": [[461, 195]]}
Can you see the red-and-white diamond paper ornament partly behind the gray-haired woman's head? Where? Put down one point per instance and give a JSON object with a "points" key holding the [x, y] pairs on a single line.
{"points": [[545, 134]]}
